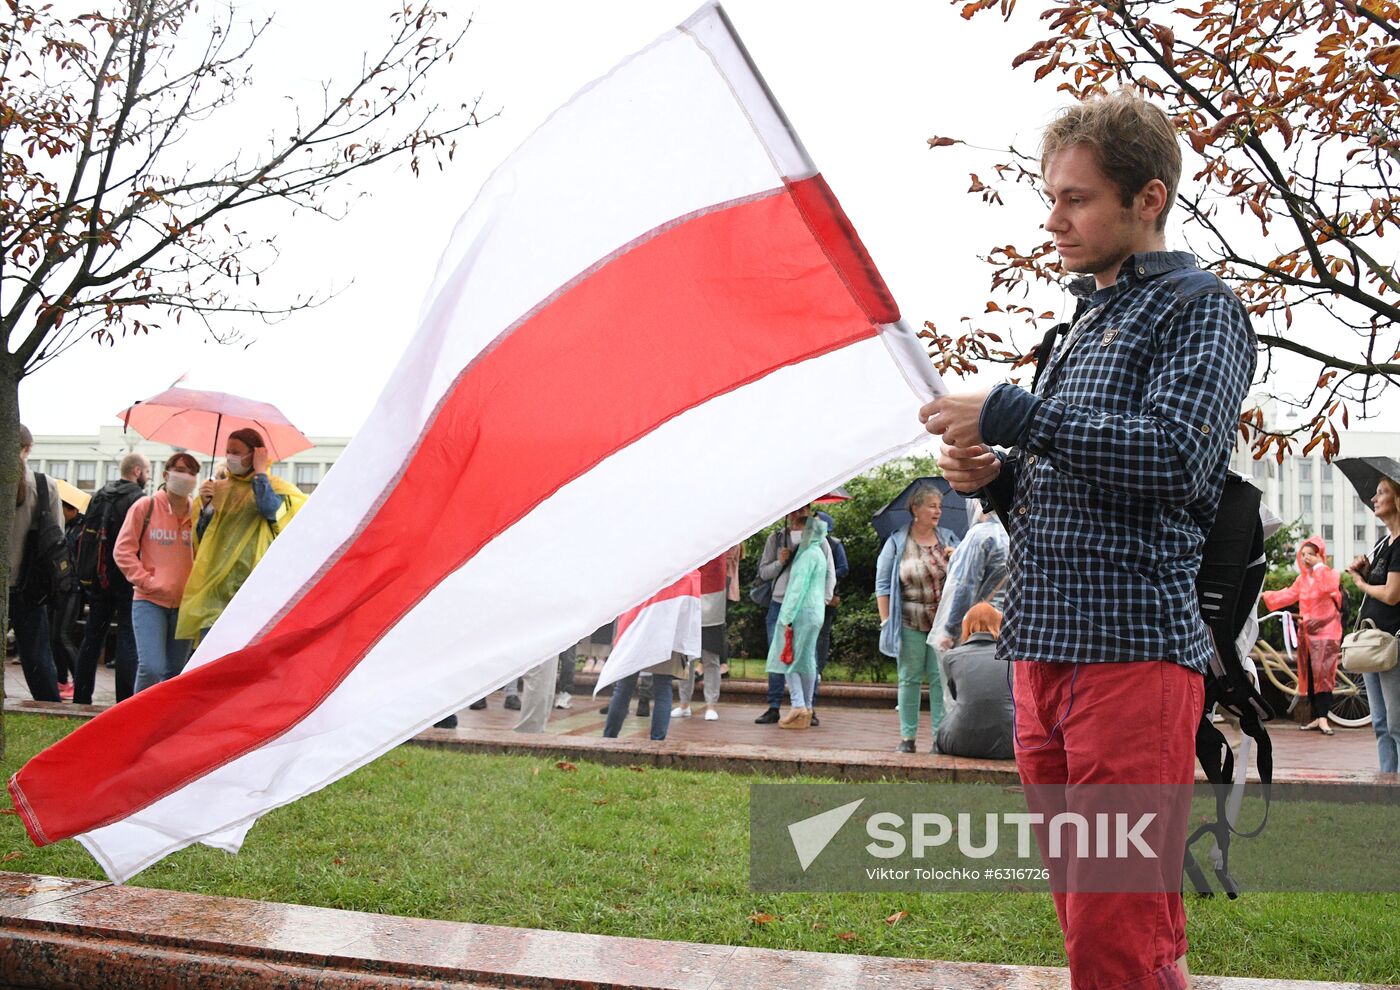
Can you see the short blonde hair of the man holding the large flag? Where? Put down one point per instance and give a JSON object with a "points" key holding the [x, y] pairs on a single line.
{"points": [[1133, 141]]}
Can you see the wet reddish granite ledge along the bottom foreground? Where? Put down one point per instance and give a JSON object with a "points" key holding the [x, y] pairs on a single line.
{"points": [[76, 933]]}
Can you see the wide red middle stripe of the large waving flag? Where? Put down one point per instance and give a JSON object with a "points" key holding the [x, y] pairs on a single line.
{"points": [[722, 299]]}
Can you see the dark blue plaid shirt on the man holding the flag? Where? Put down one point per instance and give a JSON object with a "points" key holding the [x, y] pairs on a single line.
{"points": [[1118, 466]]}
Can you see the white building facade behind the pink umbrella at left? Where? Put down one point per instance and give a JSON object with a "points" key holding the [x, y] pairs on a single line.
{"points": [[92, 461]]}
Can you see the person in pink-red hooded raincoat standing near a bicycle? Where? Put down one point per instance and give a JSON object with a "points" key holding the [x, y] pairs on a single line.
{"points": [[1318, 596]]}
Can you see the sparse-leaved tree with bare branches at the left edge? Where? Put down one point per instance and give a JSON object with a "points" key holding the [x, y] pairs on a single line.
{"points": [[111, 229]]}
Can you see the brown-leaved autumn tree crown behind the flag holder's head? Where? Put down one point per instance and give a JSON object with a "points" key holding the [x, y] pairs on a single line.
{"points": [[1290, 109]]}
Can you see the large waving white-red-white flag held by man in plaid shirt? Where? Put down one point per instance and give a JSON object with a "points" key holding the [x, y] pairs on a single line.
{"points": [[654, 281]]}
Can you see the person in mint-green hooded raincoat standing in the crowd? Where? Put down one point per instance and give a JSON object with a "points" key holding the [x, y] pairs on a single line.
{"points": [[793, 652]]}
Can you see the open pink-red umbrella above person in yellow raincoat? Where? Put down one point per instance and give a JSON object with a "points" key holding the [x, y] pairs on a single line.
{"points": [[202, 422]]}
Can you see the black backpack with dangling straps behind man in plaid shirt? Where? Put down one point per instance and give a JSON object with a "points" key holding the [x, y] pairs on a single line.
{"points": [[1233, 575]]}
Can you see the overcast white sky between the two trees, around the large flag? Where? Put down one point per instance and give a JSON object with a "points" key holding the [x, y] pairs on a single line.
{"points": [[864, 88]]}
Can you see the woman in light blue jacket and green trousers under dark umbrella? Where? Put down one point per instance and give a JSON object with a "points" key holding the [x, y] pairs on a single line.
{"points": [[909, 586]]}
